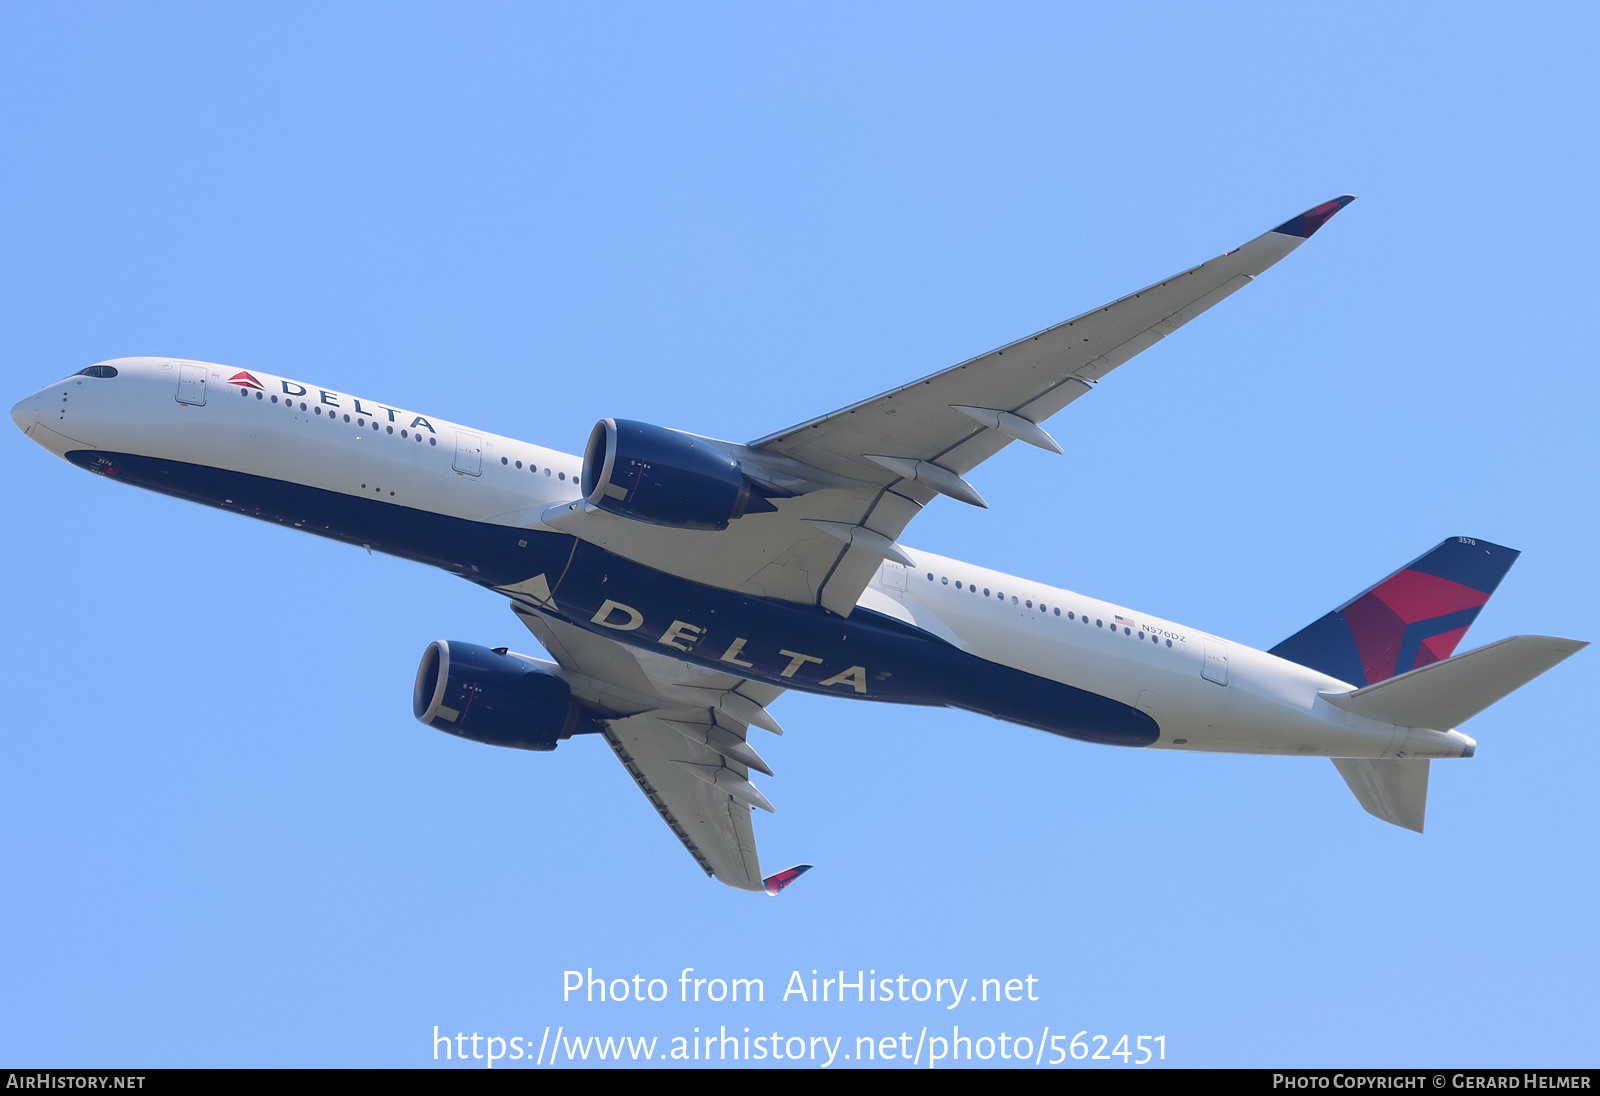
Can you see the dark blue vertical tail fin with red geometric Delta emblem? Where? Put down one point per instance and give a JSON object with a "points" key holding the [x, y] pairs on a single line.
{"points": [[1414, 618]]}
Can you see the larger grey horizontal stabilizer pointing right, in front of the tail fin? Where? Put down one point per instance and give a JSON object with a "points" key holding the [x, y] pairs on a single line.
{"points": [[1442, 695]]}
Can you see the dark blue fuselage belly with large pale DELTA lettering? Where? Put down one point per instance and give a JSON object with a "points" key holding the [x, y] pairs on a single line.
{"points": [[898, 663]]}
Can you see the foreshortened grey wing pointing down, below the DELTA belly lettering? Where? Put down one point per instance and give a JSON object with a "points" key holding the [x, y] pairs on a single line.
{"points": [[681, 734]]}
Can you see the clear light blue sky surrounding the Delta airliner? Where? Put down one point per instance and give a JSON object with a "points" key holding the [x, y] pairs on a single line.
{"points": [[230, 842]]}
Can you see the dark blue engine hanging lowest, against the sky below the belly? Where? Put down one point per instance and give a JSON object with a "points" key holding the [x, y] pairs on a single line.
{"points": [[495, 697]]}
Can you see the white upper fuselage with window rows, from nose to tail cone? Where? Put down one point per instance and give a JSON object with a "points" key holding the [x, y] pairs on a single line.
{"points": [[1202, 692]]}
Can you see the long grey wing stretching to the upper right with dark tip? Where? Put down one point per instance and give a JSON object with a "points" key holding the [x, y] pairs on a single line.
{"points": [[849, 482]]}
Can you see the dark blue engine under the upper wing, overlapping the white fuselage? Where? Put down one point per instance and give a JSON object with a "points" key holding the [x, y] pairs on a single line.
{"points": [[666, 478]]}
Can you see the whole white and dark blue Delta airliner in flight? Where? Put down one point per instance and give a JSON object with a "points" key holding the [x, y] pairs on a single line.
{"points": [[682, 583]]}
